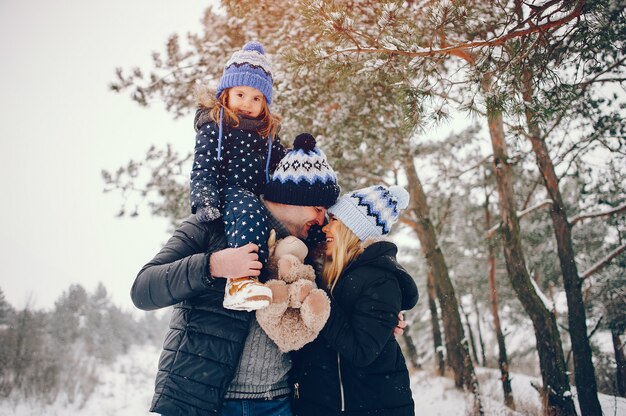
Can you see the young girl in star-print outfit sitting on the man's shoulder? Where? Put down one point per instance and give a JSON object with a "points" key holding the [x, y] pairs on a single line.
{"points": [[236, 150]]}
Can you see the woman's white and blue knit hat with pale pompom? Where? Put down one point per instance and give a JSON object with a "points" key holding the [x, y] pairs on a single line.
{"points": [[371, 211]]}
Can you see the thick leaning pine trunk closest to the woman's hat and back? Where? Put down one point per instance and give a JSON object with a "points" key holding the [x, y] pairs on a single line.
{"points": [[456, 343]]}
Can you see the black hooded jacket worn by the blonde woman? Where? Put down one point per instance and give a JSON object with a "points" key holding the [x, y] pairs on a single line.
{"points": [[356, 365]]}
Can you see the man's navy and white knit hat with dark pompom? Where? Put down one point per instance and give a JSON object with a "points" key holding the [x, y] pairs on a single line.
{"points": [[303, 177]]}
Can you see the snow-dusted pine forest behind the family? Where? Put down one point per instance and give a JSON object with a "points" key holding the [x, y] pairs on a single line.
{"points": [[504, 121]]}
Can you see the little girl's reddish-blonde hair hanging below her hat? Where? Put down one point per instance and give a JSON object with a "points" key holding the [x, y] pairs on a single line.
{"points": [[206, 99]]}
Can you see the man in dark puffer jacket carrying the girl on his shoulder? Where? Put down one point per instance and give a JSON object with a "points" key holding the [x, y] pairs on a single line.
{"points": [[216, 360]]}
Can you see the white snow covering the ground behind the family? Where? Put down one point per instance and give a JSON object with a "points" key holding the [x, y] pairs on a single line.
{"points": [[125, 389]]}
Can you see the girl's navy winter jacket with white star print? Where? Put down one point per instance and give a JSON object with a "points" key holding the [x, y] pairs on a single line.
{"points": [[238, 161]]}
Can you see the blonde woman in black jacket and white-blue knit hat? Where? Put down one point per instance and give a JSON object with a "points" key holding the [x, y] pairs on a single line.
{"points": [[355, 366]]}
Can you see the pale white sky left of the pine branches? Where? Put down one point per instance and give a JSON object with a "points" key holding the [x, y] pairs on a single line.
{"points": [[60, 125]]}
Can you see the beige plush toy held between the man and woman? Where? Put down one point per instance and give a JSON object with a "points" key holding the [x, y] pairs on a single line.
{"points": [[299, 309]]}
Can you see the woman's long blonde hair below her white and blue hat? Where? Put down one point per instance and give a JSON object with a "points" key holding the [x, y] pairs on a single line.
{"points": [[346, 248]]}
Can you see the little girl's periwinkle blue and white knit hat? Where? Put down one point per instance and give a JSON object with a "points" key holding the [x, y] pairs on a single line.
{"points": [[249, 67]]}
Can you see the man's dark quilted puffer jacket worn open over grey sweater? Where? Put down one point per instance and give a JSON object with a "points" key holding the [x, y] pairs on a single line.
{"points": [[205, 341]]}
